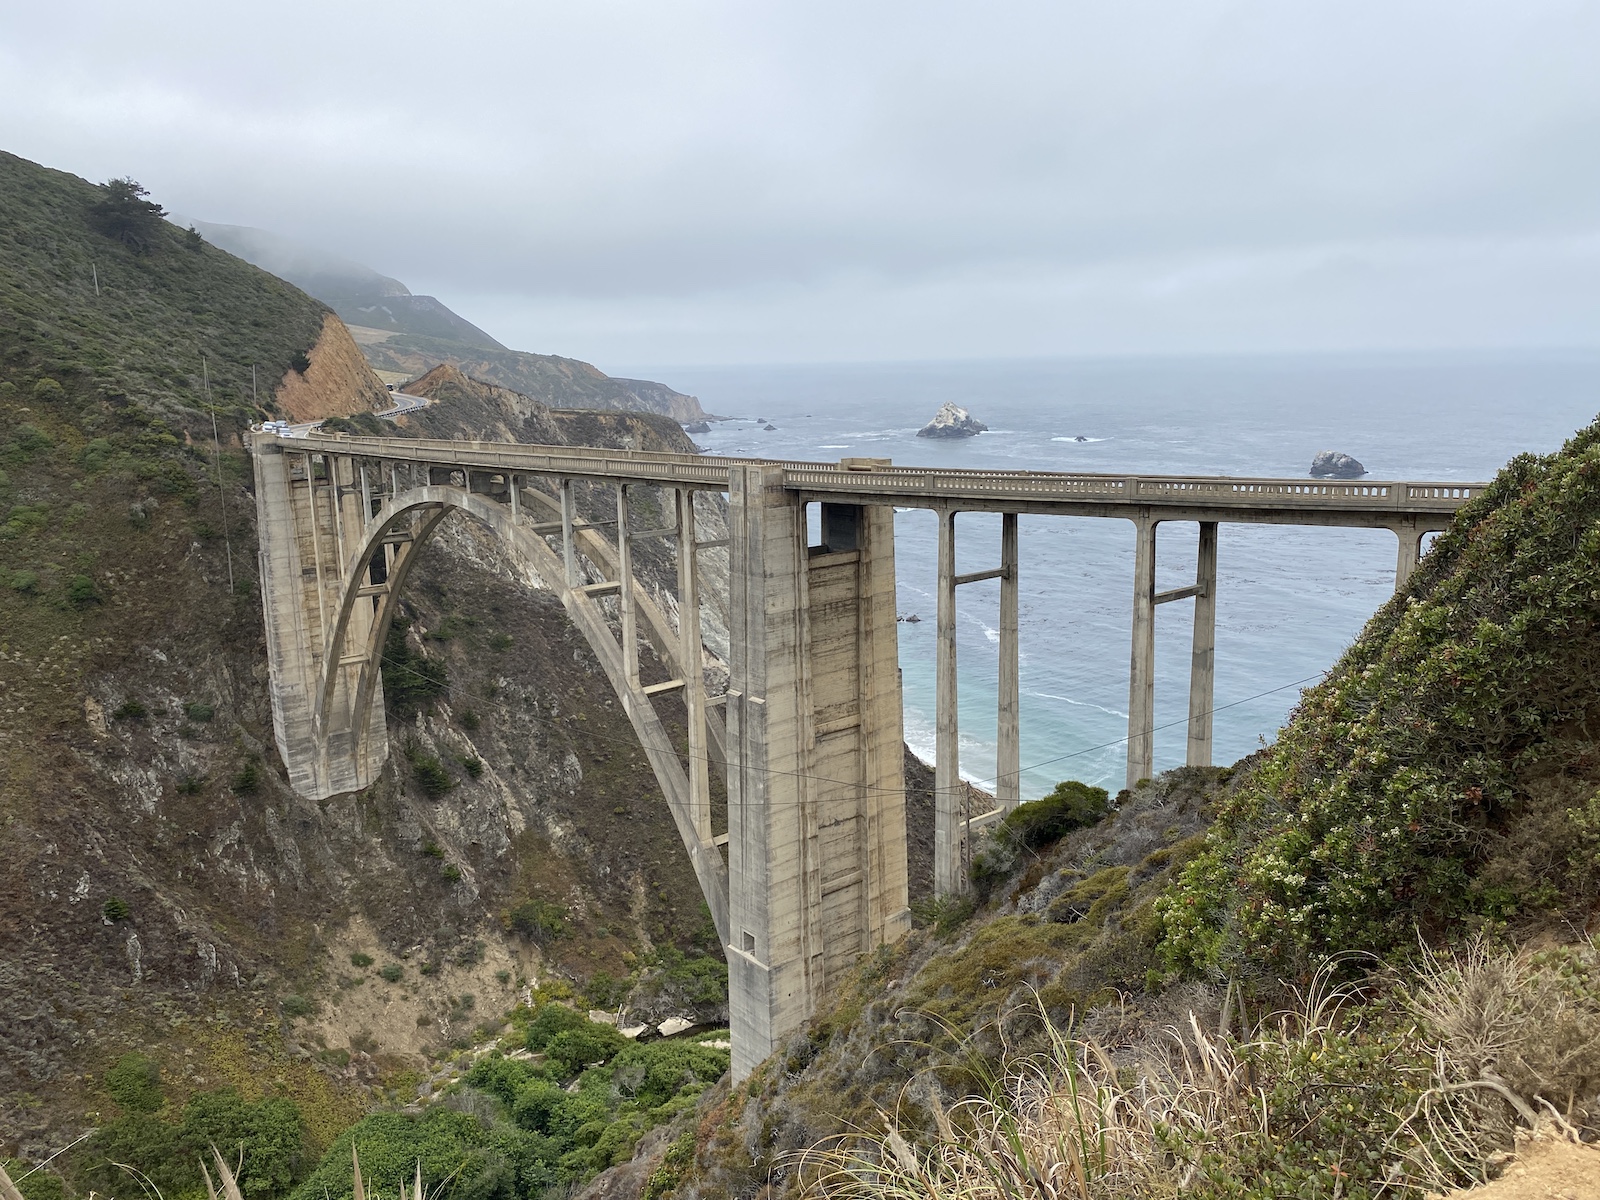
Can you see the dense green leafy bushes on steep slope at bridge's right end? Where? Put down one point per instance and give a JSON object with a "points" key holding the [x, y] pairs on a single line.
{"points": [[1446, 775]]}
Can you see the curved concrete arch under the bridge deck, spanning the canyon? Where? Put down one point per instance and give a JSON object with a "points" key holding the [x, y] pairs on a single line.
{"points": [[407, 522]]}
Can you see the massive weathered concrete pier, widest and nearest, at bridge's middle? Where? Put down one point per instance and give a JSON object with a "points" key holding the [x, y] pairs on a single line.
{"points": [[817, 804]]}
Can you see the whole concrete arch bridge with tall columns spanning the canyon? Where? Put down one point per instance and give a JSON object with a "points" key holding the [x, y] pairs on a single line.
{"points": [[810, 871]]}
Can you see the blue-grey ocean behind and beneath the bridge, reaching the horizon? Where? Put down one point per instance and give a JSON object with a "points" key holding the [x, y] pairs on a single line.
{"points": [[1290, 599]]}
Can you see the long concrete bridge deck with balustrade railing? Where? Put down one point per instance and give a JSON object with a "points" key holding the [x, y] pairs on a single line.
{"points": [[873, 482]]}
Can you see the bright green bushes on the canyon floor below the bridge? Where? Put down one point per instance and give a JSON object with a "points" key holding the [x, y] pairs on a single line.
{"points": [[558, 1100]]}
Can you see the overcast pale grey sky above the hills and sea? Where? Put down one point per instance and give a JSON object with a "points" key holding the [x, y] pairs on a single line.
{"points": [[697, 183]]}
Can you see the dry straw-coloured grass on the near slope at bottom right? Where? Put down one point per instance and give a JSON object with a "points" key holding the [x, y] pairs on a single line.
{"points": [[1417, 1098]]}
